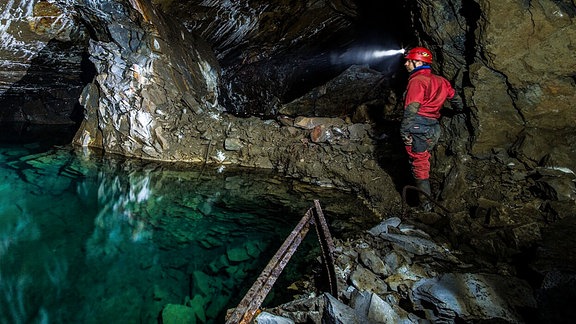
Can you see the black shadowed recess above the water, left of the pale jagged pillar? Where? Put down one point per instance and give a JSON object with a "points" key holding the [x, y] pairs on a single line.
{"points": [[46, 97]]}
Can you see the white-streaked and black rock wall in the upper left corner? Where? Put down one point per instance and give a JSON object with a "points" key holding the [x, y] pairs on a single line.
{"points": [[41, 59]]}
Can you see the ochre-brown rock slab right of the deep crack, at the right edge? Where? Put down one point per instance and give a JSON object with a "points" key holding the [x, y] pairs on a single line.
{"points": [[528, 46]]}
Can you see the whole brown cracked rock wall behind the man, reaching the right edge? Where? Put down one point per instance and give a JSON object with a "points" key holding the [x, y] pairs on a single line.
{"points": [[512, 60]]}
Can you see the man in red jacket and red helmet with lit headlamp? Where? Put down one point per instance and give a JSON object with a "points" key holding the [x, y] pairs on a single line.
{"points": [[424, 97]]}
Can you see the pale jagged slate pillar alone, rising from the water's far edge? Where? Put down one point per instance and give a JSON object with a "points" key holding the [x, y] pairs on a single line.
{"points": [[153, 77]]}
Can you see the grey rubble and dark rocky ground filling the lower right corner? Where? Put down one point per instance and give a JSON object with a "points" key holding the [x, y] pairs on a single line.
{"points": [[498, 259]]}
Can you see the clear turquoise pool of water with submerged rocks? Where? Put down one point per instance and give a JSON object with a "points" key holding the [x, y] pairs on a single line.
{"points": [[92, 239]]}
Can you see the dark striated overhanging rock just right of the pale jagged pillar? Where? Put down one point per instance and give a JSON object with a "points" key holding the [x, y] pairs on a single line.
{"points": [[268, 51]]}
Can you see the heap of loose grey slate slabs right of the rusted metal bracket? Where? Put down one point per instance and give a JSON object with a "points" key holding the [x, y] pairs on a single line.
{"points": [[397, 273]]}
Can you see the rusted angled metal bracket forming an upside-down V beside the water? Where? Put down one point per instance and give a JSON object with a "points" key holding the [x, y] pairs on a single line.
{"points": [[249, 305]]}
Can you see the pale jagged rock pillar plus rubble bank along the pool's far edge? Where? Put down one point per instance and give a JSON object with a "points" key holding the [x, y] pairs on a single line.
{"points": [[158, 100]]}
